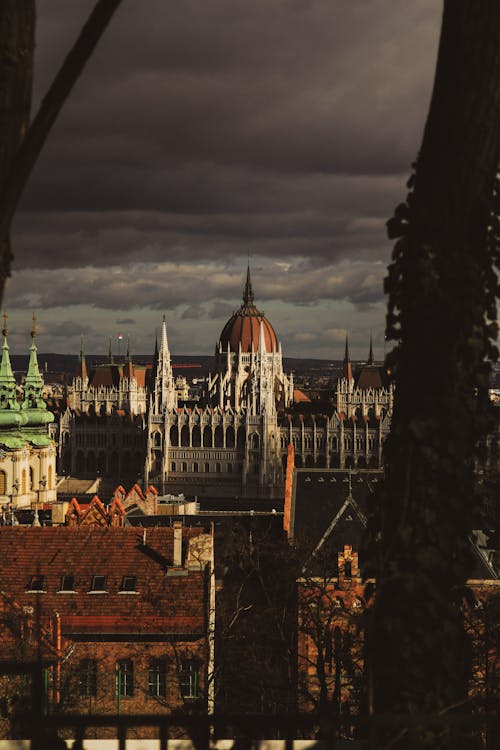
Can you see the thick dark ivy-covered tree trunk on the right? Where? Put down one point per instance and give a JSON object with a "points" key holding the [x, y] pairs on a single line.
{"points": [[441, 312]]}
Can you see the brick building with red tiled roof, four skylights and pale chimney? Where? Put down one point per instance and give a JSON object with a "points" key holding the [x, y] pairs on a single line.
{"points": [[121, 615]]}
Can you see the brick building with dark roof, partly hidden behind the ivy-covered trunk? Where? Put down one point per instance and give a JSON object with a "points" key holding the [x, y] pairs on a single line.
{"points": [[325, 519]]}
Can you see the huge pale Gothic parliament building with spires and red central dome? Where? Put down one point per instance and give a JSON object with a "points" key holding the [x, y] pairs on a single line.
{"points": [[125, 420]]}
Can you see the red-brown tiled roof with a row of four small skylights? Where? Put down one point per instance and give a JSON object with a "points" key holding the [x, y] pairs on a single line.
{"points": [[164, 603]]}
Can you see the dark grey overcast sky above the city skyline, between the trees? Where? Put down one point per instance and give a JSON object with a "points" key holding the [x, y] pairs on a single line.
{"points": [[204, 131]]}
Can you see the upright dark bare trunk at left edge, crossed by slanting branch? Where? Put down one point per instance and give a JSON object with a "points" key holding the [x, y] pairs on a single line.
{"points": [[17, 45]]}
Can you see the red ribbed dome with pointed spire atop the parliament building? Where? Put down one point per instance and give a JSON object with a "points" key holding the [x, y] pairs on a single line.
{"points": [[243, 327]]}
